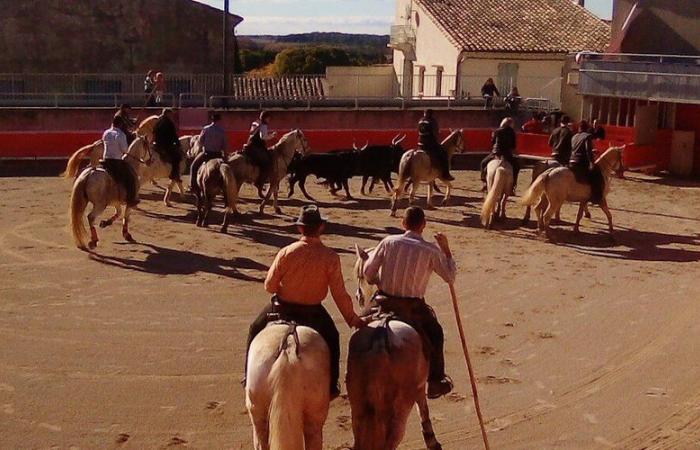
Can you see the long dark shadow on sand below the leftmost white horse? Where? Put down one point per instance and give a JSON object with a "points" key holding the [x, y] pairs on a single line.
{"points": [[167, 261]]}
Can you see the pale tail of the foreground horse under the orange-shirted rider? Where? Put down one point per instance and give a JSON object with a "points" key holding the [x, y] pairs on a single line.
{"points": [[286, 406]]}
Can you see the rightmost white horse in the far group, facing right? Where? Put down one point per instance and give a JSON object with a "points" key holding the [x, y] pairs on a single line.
{"points": [[555, 186]]}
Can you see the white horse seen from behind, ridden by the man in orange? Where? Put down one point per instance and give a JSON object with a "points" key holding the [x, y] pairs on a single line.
{"points": [[287, 393]]}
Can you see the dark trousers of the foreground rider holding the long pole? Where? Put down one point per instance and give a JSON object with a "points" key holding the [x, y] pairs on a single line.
{"points": [[417, 313]]}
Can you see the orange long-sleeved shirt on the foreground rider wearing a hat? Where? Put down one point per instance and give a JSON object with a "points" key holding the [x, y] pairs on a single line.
{"points": [[303, 272]]}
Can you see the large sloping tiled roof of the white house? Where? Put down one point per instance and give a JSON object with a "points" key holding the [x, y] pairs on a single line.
{"points": [[532, 26]]}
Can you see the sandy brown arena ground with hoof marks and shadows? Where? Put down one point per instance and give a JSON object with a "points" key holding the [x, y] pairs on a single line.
{"points": [[580, 344]]}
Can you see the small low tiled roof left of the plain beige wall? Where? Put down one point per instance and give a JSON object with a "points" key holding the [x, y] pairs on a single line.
{"points": [[286, 88]]}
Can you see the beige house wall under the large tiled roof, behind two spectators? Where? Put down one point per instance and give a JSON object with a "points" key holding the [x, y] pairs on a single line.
{"points": [[539, 75]]}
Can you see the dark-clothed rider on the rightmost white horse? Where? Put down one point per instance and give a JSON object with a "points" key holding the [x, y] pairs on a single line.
{"points": [[582, 162]]}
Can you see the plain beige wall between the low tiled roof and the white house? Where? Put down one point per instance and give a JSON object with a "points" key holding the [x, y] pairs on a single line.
{"points": [[373, 81]]}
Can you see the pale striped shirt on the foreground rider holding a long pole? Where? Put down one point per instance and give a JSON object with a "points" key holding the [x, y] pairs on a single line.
{"points": [[406, 263]]}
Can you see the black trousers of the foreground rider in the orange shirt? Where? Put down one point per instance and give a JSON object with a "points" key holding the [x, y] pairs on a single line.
{"points": [[315, 317]]}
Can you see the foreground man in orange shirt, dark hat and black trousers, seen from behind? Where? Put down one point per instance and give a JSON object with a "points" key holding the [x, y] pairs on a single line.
{"points": [[299, 280]]}
